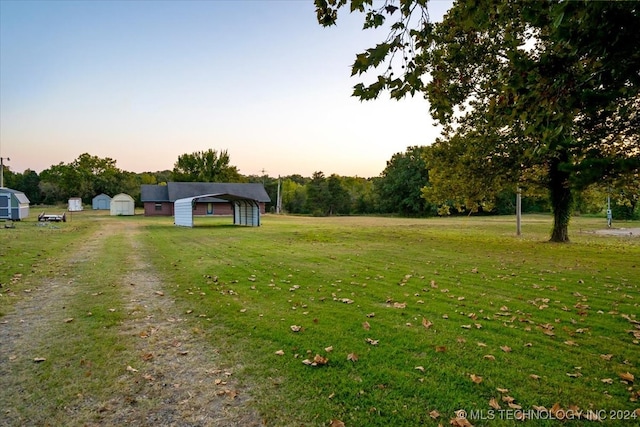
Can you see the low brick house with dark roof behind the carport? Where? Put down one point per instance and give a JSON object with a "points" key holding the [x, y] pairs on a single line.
{"points": [[159, 200]]}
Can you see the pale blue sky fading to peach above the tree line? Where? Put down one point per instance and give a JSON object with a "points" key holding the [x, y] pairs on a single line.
{"points": [[143, 82]]}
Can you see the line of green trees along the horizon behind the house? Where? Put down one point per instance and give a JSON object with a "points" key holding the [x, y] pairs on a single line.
{"points": [[410, 185]]}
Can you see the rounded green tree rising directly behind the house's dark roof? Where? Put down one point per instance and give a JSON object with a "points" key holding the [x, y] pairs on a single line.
{"points": [[206, 166]]}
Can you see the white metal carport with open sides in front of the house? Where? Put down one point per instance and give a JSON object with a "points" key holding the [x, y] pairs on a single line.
{"points": [[245, 211]]}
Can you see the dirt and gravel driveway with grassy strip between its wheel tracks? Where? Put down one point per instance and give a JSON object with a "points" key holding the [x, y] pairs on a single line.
{"points": [[179, 381]]}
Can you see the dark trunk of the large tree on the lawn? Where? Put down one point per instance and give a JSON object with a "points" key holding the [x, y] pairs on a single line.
{"points": [[561, 198]]}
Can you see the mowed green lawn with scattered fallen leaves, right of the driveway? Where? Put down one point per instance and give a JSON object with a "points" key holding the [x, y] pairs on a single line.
{"points": [[441, 315]]}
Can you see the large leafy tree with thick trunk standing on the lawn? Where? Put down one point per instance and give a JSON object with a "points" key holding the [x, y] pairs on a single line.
{"points": [[545, 89]]}
